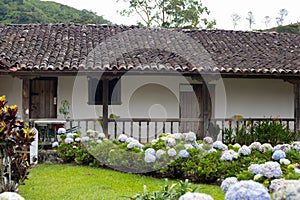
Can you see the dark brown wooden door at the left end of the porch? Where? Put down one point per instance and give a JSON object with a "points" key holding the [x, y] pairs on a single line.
{"points": [[43, 93]]}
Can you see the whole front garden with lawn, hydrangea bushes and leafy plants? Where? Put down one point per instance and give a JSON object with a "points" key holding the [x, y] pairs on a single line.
{"points": [[252, 162]]}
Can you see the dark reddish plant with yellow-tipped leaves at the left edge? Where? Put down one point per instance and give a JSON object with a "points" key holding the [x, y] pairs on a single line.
{"points": [[15, 139]]}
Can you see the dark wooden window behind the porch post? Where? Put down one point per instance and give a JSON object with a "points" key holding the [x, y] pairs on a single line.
{"points": [[95, 93]]}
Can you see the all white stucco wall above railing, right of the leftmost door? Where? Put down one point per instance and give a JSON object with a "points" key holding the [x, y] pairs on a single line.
{"points": [[158, 97]]}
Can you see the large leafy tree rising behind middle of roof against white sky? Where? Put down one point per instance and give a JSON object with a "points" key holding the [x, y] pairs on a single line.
{"points": [[169, 13]]}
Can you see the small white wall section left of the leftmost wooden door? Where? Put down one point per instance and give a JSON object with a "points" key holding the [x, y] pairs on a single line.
{"points": [[12, 88]]}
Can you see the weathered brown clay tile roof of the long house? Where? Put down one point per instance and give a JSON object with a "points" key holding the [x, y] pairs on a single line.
{"points": [[68, 47]]}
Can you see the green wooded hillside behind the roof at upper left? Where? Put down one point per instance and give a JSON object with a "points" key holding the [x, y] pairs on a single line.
{"points": [[36, 11]]}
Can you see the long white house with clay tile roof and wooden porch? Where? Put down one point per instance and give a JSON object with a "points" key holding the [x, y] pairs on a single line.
{"points": [[156, 80]]}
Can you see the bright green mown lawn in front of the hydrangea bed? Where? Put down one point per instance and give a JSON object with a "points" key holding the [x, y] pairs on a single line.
{"points": [[79, 182]]}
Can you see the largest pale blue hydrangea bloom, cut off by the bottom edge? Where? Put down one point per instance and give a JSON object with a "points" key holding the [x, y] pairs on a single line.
{"points": [[247, 190]]}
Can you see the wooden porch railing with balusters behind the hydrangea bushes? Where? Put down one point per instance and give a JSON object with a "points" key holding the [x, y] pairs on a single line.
{"points": [[146, 129]]}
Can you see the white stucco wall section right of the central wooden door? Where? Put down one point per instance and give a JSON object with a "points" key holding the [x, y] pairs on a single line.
{"points": [[255, 98]]}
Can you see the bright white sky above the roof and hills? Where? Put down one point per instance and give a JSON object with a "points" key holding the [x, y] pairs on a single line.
{"points": [[220, 10]]}
